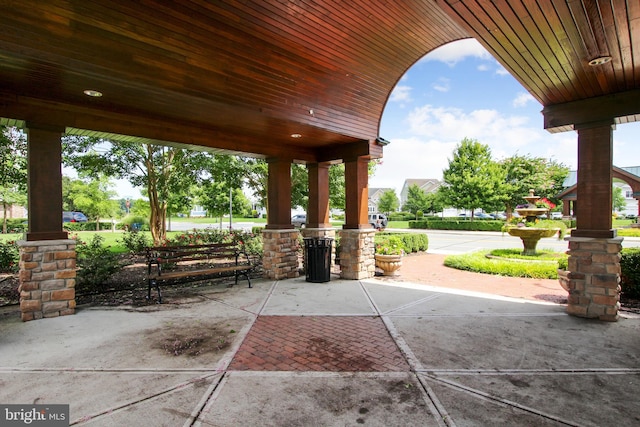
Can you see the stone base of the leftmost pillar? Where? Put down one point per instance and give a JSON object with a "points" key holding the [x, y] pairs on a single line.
{"points": [[47, 278]]}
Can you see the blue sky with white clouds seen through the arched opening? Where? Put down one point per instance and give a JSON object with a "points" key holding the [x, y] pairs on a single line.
{"points": [[459, 90]]}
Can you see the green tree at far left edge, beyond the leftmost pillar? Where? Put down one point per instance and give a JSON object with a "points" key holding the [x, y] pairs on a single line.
{"points": [[13, 170]]}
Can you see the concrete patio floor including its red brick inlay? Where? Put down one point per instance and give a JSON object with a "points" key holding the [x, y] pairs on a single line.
{"points": [[343, 353]]}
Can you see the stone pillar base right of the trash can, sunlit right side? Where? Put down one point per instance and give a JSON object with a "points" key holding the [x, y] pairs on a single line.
{"points": [[357, 254]]}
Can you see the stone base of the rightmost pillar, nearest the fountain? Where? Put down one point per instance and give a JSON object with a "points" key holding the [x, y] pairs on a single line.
{"points": [[594, 278]]}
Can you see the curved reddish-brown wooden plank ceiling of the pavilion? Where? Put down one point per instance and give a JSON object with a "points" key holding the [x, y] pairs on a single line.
{"points": [[243, 76]]}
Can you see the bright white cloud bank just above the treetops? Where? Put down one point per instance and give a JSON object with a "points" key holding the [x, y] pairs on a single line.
{"points": [[435, 131]]}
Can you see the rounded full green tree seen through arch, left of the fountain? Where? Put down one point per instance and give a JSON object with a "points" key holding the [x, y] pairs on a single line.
{"points": [[473, 180]]}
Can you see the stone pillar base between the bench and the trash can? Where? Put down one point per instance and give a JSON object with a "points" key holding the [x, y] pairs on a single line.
{"points": [[280, 253]]}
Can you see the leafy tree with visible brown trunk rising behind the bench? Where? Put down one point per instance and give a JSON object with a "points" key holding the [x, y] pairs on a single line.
{"points": [[164, 171]]}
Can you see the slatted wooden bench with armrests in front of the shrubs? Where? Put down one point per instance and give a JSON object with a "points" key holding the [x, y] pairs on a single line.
{"points": [[192, 262]]}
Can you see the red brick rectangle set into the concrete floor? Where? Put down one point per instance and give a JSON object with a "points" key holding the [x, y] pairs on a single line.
{"points": [[319, 343]]}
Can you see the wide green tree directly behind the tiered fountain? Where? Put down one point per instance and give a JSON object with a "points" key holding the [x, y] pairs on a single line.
{"points": [[523, 173]]}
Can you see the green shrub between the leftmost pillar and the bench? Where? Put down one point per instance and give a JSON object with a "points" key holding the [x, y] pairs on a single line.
{"points": [[96, 263]]}
